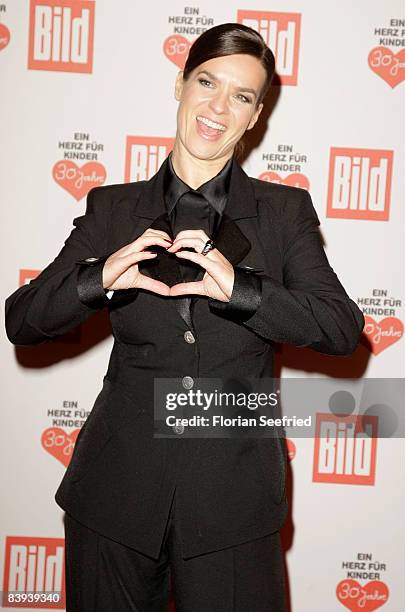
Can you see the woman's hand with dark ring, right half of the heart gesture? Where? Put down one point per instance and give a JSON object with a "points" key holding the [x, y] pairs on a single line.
{"points": [[219, 273]]}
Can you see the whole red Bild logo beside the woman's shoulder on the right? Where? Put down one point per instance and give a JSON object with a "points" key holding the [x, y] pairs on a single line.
{"points": [[359, 184]]}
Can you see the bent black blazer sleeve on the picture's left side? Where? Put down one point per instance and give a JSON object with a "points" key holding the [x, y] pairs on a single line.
{"points": [[70, 288]]}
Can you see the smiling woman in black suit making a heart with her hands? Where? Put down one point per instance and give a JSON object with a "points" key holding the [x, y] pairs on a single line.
{"points": [[202, 268]]}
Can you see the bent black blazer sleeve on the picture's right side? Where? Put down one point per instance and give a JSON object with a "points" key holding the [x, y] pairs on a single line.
{"points": [[310, 308]]}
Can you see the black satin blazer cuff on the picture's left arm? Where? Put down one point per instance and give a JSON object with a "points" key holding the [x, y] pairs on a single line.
{"points": [[90, 282]]}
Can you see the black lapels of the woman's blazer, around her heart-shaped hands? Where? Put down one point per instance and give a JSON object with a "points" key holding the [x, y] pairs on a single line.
{"points": [[229, 239]]}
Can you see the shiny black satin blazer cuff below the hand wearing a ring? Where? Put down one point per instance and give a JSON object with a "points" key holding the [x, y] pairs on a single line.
{"points": [[245, 299]]}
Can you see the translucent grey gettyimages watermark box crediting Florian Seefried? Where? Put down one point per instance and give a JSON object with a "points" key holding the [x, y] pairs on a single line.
{"points": [[270, 407]]}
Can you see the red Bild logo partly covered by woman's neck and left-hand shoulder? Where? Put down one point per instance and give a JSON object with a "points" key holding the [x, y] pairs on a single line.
{"points": [[144, 156]]}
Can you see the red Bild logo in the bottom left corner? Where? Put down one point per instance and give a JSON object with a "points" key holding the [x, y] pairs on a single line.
{"points": [[34, 573]]}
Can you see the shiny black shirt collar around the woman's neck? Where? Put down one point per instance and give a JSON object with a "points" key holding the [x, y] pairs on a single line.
{"points": [[215, 190]]}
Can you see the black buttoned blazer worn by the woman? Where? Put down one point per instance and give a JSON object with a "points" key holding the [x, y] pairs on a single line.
{"points": [[121, 480]]}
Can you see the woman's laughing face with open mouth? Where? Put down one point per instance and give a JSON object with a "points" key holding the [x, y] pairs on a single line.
{"points": [[218, 103]]}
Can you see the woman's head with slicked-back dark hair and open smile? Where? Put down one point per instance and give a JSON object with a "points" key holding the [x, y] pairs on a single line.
{"points": [[226, 76]]}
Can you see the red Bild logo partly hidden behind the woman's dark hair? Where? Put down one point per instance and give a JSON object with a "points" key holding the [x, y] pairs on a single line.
{"points": [[281, 32]]}
